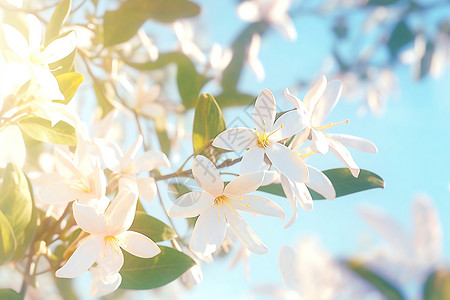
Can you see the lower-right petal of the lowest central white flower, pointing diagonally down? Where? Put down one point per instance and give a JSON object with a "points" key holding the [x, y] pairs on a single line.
{"points": [[244, 233]]}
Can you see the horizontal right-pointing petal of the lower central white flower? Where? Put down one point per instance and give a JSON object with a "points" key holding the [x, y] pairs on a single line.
{"points": [[259, 205]]}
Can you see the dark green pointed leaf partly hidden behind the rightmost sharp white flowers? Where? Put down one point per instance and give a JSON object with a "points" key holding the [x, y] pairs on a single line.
{"points": [[343, 181]]}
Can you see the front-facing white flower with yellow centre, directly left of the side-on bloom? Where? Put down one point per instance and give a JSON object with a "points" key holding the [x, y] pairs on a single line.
{"points": [[264, 140]]}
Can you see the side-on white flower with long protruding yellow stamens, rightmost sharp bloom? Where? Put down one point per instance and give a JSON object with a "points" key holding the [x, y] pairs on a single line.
{"points": [[317, 104]]}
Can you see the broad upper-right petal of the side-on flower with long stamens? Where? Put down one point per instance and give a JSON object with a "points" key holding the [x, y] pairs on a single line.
{"points": [[327, 102]]}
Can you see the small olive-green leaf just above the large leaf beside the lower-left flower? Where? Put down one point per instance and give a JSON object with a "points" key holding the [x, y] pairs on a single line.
{"points": [[152, 227]]}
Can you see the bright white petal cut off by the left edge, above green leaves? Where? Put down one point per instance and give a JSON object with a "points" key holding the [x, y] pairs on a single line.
{"points": [[13, 147]]}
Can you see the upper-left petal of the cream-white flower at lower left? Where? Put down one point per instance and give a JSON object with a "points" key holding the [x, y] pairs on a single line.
{"points": [[89, 219]]}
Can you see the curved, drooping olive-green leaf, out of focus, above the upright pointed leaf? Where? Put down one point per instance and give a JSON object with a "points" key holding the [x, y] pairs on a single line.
{"points": [[189, 81]]}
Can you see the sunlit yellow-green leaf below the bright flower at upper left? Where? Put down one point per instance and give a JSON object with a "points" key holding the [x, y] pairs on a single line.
{"points": [[42, 130]]}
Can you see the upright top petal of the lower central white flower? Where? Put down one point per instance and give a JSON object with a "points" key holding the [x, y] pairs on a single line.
{"points": [[207, 175]]}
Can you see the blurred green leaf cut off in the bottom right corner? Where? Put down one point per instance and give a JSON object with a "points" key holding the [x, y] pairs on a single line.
{"points": [[437, 286]]}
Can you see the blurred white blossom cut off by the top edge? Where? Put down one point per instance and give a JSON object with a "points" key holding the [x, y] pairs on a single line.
{"points": [[273, 12]]}
